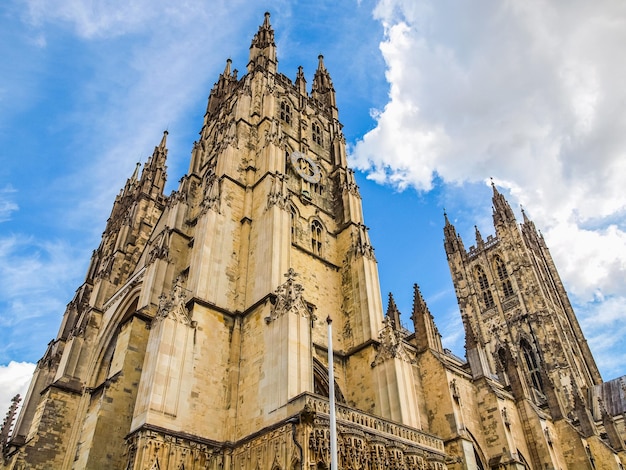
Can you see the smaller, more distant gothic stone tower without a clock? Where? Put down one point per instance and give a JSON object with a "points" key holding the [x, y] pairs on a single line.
{"points": [[521, 332]]}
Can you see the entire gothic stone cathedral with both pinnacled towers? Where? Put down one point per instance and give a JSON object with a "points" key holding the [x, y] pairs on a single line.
{"points": [[199, 337]]}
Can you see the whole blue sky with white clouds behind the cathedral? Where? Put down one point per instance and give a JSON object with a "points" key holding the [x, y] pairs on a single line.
{"points": [[436, 97]]}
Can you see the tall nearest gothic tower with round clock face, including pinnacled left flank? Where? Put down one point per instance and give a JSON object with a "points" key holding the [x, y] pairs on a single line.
{"points": [[198, 339]]}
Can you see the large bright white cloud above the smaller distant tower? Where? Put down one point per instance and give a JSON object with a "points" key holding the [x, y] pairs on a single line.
{"points": [[528, 92]]}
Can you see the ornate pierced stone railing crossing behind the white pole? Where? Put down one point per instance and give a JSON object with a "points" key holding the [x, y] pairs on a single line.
{"points": [[375, 424]]}
